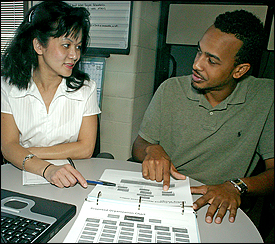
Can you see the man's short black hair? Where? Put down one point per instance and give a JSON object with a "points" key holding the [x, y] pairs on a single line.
{"points": [[249, 29]]}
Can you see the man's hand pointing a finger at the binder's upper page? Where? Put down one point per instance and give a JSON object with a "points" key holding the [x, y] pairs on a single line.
{"points": [[157, 166]]}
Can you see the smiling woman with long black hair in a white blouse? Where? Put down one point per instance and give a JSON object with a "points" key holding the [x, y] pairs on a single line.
{"points": [[48, 106]]}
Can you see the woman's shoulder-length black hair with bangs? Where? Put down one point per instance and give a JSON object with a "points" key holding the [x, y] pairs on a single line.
{"points": [[44, 20]]}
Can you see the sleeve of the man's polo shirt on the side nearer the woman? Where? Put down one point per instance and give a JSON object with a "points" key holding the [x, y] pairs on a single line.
{"points": [[150, 126]]}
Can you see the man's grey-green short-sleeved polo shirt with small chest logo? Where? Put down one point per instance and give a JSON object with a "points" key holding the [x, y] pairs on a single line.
{"points": [[209, 144]]}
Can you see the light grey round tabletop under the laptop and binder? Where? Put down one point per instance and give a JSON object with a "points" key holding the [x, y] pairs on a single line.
{"points": [[242, 230]]}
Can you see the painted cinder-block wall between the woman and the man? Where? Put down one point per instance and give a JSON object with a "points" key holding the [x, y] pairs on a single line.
{"points": [[129, 81]]}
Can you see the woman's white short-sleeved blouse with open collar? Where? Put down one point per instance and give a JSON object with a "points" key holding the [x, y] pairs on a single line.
{"points": [[61, 124]]}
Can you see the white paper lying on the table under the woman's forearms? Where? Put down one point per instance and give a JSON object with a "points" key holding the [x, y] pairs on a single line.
{"points": [[34, 179]]}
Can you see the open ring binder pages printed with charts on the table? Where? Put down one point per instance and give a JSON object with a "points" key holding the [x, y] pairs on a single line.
{"points": [[136, 210]]}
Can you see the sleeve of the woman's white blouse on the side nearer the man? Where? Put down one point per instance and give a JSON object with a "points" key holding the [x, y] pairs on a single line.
{"points": [[91, 106]]}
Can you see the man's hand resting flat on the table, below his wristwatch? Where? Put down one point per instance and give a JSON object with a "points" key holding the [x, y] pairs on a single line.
{"points": [[221, 198]]}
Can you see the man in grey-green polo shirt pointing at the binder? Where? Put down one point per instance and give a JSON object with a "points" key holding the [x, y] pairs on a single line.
{"points": [[215, 124]]}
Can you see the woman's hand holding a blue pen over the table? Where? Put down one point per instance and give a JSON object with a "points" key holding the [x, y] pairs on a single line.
{"points": [[64, 176]]}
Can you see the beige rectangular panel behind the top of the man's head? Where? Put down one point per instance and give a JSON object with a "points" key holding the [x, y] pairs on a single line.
{"points": [[200, 17]]}
